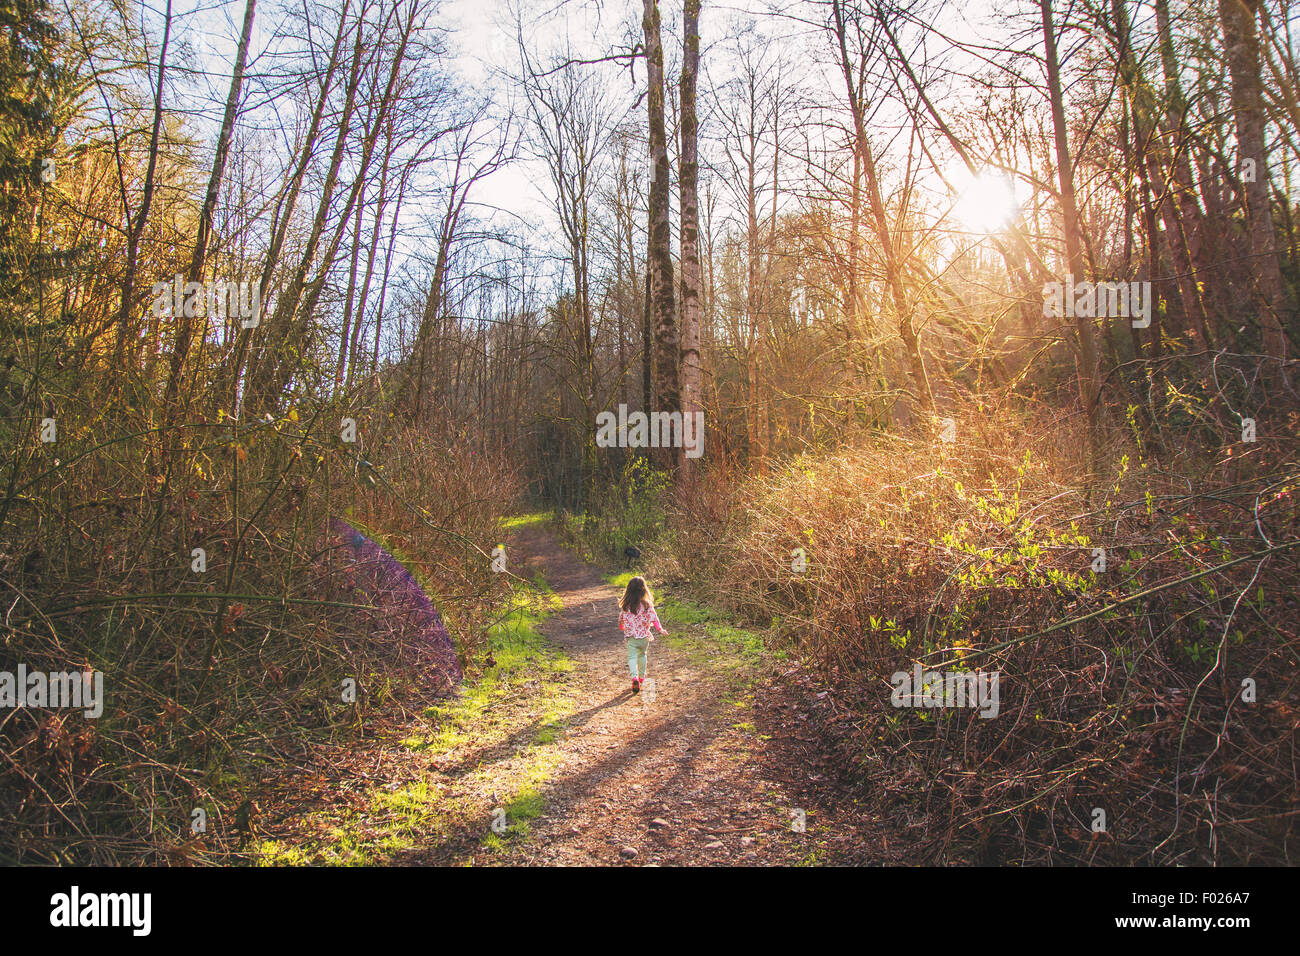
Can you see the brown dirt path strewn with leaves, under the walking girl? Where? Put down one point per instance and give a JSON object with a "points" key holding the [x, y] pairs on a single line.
{"points": [[675, 776]]}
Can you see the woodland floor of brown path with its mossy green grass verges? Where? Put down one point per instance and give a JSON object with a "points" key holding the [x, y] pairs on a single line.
{"points": [[713, 764]]}
